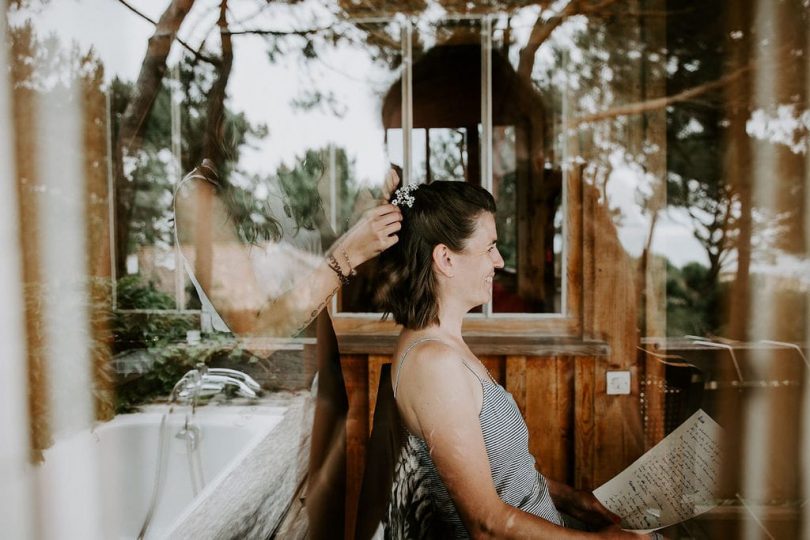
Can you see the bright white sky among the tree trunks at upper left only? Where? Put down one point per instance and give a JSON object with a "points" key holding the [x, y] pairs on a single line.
{"points": [[260, 89]]}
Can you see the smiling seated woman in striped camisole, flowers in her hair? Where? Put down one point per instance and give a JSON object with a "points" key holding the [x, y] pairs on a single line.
{"points": [[465, 431]]}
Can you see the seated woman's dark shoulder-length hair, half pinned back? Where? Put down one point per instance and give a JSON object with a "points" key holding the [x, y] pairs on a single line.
{"points": [[443, 212]]}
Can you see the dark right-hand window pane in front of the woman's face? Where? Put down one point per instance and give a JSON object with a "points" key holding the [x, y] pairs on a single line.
{"points": [[527, 172]]}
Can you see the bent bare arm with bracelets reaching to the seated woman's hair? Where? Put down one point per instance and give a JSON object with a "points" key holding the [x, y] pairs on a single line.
{"points": [[223, 267]]}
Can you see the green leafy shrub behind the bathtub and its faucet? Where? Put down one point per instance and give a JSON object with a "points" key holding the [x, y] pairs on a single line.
{"points": [[160, 338]]}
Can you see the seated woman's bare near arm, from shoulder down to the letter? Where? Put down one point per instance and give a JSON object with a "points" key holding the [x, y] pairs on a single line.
{"points": [[440, 400]]}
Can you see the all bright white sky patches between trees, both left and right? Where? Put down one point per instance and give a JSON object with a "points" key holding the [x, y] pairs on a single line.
{"points": [[264, 91]]}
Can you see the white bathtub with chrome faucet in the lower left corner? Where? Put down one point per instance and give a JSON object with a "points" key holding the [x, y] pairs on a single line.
{"points": [[117, 460]]}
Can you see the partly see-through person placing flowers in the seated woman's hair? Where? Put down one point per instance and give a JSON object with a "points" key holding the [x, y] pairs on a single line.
{"points": [[276, 281]]}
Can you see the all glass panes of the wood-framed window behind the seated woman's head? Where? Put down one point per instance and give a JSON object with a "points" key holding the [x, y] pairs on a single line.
{"points": [[448, 142]]}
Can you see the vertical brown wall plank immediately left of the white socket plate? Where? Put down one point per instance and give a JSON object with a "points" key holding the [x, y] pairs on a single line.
{"points": [[584, 420]]}
